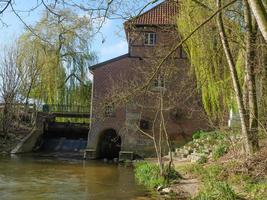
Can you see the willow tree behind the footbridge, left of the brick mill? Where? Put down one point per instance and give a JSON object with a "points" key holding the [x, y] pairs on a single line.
{"points": [[60, 46]]}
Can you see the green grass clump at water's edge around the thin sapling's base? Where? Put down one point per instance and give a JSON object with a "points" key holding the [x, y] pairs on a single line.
{"points": [[148, 174]]}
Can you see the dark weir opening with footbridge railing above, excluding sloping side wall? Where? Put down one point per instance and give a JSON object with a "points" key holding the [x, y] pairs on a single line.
{"points": [[64, 136]]}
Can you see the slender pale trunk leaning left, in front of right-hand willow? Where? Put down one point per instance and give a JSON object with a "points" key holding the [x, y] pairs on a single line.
{"points": [[236, 84]]}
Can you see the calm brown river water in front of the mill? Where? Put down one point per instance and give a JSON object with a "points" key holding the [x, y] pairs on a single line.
{"points": [[41, 178]]}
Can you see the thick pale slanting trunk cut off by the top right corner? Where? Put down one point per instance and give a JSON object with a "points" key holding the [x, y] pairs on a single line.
{"points": [[260, 14]]}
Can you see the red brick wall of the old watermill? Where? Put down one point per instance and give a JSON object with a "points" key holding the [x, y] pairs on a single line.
{"points": [[120, 73]]}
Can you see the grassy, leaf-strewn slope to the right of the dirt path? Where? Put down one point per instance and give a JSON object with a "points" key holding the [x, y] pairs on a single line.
{"points": [[231, 177]]}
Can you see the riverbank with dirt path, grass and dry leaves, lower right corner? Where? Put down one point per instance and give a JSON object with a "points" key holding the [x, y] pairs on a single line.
{"points": [[229, 177]]}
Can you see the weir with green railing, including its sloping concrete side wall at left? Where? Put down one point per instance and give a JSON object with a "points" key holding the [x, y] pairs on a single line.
{"points": [[55, 130]]}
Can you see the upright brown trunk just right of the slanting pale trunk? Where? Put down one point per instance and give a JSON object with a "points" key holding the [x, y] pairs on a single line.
{"points": [[250, 39]]}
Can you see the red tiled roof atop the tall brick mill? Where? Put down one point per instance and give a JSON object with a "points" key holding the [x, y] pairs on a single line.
{"points": [[162, 14]]}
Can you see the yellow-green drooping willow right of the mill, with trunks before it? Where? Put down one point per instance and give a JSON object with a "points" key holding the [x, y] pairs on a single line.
{"points": [[226, 56]]}
